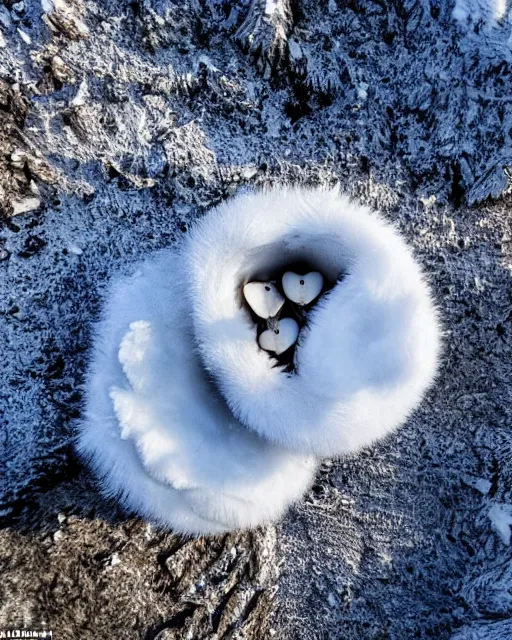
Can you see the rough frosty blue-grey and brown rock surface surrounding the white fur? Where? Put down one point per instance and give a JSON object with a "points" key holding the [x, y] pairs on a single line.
{"points": [[120, 122]]}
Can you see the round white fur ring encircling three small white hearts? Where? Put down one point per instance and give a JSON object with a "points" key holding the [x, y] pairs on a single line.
{"points": [[372, 344]]}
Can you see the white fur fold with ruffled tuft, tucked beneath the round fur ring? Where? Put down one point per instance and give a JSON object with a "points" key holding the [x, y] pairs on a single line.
{"points": [[155, 429]]}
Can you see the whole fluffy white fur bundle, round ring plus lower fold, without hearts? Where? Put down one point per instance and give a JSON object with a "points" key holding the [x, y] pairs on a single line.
{"points": [[173, 445]]}
